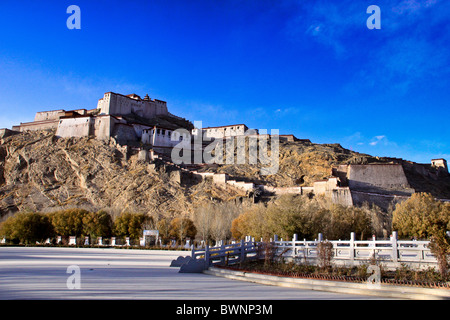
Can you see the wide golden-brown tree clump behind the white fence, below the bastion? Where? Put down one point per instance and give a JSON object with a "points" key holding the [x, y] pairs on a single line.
{"points": [[294, 214]]}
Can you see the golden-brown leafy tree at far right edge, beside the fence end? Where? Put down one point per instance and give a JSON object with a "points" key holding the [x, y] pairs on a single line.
{"points": [[424, 217]]}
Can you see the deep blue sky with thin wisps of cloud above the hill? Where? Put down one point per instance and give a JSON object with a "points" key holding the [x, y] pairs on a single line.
{"points": [[307, 67]]}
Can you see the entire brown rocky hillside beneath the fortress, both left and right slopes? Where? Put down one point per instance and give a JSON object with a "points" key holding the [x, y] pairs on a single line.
{"points": [[39, 171]]}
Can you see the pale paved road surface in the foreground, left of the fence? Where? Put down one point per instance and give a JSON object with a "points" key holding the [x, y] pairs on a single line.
{"points": [[35, 273]]}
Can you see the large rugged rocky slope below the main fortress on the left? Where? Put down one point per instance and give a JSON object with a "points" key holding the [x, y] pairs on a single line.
{"points": [[41, 172]]}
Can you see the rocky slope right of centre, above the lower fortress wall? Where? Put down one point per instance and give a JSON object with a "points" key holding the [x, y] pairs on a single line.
{"points": [[302, 162]]}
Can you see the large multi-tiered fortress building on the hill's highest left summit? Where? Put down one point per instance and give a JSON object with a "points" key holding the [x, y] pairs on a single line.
{"points": [[127, 118]]}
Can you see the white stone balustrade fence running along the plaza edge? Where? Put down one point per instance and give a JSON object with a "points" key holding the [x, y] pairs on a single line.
{"points": [[391, 253]]}
